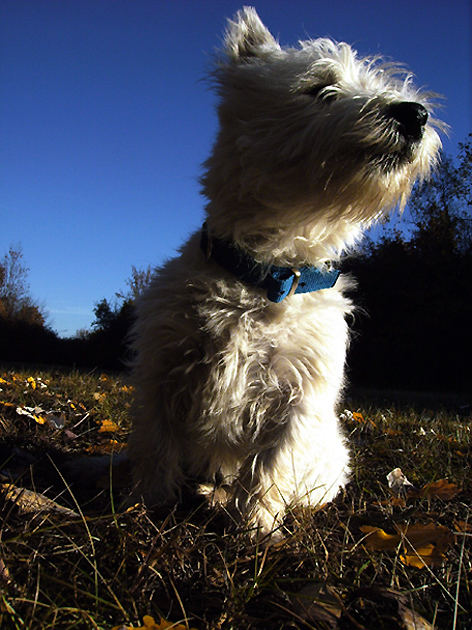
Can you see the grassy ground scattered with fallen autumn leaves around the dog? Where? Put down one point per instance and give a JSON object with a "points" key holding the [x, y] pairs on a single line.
{"points": [[99, 564]]}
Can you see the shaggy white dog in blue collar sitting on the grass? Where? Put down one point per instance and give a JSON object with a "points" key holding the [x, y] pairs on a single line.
{"points": [[241, 340]]}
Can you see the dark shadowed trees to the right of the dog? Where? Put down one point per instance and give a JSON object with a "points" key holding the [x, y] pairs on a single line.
{"points": [[416, 290]]}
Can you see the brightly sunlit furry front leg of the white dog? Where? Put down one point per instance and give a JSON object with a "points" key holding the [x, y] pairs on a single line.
{"points": [[304, 463]]}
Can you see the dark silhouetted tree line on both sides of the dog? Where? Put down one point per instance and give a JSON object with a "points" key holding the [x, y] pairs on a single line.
{"points": [[412, 330]]}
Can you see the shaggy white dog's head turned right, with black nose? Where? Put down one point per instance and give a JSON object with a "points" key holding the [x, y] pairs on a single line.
{"points": [[313, 138]]}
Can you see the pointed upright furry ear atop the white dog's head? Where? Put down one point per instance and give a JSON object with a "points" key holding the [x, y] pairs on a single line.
{"points": [[247, 37]]}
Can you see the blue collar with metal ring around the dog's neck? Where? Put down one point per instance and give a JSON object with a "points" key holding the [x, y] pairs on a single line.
{"points": [[280, 282]]}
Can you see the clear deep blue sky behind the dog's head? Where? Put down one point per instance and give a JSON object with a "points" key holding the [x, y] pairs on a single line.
{"points": [[105, 121]]}
